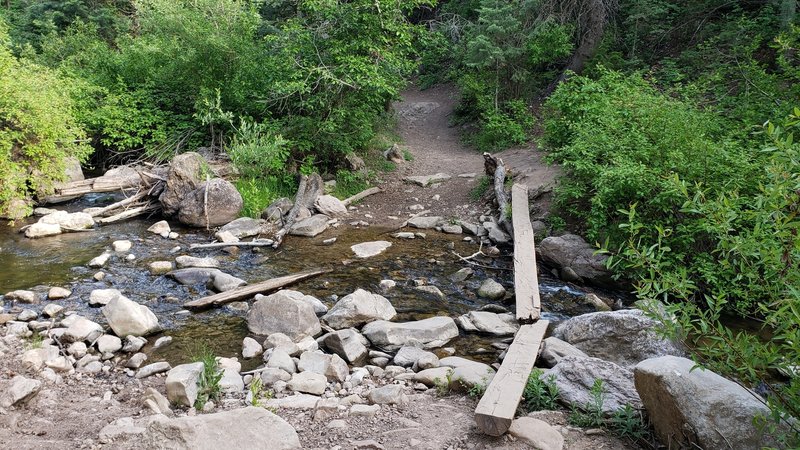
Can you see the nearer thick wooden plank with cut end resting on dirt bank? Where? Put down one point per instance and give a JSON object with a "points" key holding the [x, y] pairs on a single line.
{"points": [[499, 403]]}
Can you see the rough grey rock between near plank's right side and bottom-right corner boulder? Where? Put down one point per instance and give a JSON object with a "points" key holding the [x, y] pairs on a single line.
{"points": [[575, 376]]}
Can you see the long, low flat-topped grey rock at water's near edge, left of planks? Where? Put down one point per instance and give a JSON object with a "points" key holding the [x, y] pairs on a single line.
{"points": [[429, 333]]}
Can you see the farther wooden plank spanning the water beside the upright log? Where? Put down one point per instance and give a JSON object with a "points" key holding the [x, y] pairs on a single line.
{"points": [[526, 279]]}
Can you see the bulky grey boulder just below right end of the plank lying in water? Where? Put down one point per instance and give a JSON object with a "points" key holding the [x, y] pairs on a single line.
{"points": [[282, 313]]}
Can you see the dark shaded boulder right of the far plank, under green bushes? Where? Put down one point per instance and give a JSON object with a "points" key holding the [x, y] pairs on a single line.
{"points": [[571, 254]]}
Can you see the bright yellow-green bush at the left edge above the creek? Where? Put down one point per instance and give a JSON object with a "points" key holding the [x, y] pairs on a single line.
{"points": [[38, 130]]}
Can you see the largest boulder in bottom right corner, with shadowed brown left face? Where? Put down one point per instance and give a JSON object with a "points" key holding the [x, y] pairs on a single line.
{"points": [[698, 408]]}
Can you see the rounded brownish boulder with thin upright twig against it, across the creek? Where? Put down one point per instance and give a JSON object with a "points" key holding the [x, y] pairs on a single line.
{"points": [[214, 203]]}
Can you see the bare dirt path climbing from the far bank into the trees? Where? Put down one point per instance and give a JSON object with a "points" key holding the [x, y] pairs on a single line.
{"points": [[423, 124]]}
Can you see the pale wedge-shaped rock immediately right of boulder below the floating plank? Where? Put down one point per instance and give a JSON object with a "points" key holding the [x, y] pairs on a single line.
{"points": [[359, 308]]}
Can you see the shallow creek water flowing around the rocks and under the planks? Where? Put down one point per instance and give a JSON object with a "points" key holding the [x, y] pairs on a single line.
{"points": [[61, 261]]}
